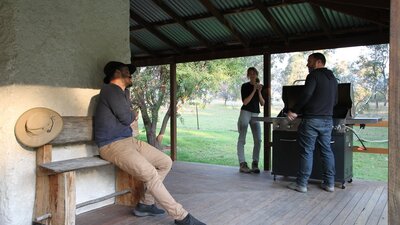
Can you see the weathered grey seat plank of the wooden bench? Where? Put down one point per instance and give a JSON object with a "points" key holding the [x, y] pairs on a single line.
{"points": [[74, 164]]}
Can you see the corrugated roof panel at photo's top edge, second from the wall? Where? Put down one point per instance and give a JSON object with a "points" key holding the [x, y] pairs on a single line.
{"points": [[186, 8]]}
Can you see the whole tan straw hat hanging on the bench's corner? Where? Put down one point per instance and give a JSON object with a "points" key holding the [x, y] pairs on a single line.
{"points": [[38, 126]]}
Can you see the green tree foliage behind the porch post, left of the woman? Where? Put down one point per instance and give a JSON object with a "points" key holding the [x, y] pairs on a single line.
{"points": [[196, 82]]}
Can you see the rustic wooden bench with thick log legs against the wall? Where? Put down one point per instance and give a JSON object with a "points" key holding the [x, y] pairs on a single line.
{"points": [[55, 200]]}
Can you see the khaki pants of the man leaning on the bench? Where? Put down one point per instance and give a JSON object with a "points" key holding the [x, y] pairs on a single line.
{"points": [[149, 165]]}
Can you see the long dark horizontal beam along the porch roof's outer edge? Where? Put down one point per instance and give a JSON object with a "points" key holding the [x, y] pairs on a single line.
{"points": [[311, 42]]}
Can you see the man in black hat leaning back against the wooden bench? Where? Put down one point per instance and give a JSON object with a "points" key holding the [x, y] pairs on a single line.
{"points": [[113, 136]]}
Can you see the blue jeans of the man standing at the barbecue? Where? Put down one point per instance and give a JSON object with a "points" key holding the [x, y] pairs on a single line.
{"points": [[314, 132]]}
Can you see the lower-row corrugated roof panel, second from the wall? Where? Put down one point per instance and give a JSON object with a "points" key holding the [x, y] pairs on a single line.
{"points": [[184, 39]]}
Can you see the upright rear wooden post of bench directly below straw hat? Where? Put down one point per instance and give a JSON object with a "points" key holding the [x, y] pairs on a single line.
{"points": [[42, 206]]}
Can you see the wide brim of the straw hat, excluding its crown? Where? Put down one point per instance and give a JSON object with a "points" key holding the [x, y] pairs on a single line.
{"points": [[37, 140]]}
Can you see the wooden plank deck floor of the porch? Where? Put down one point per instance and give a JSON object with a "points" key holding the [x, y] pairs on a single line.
{"points": [[221, 195]]}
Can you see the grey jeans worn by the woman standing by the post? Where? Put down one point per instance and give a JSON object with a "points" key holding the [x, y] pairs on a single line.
{"points": [[243, 123]]}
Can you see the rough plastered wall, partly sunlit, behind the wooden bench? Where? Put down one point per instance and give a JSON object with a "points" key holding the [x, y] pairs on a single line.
{"points": [[52, 56]]}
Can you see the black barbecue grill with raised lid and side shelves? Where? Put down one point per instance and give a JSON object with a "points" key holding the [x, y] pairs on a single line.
{"points": [[285, 157]]}
